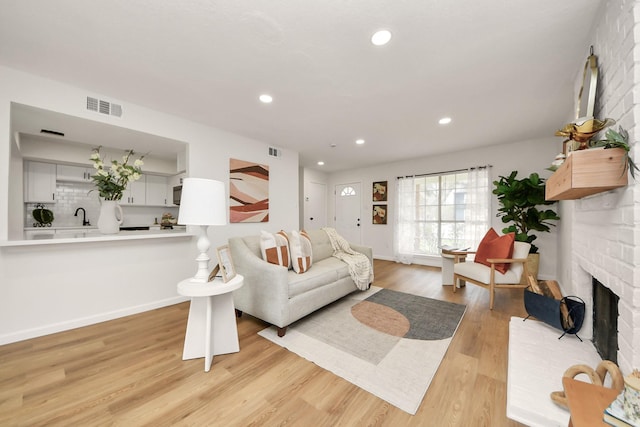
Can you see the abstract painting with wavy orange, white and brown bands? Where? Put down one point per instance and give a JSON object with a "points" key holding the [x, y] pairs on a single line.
{"points": [[249, 191]]}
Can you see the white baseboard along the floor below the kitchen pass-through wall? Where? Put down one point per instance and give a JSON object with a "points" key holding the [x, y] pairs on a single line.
{"points": [[86, 321]]}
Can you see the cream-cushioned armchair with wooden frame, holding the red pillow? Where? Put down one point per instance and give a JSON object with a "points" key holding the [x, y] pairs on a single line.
{"points": [[489, 277]]}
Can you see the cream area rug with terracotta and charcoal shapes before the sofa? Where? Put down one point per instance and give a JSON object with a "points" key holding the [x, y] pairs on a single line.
{"points": [[386, 342]]}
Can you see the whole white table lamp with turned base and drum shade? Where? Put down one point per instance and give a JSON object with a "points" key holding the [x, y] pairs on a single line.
{"points": [[203, 203]]}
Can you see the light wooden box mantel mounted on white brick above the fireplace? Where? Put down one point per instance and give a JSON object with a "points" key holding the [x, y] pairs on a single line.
{"points": [[587, 172]]}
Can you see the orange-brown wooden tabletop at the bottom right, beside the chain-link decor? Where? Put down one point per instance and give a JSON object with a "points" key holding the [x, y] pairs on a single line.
{"points": [[587, 402]]}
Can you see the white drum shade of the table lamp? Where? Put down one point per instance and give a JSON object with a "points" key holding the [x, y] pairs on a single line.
{"points": [[203, 202]]}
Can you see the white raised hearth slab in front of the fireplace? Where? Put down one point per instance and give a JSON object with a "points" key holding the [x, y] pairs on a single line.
{"points": [[537, 362]]}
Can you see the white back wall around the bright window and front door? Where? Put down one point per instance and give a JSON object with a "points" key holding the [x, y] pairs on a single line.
{"points": [[525, 157]]}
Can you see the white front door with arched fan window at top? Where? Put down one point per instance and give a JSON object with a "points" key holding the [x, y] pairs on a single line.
{"points": [[348, 211]]}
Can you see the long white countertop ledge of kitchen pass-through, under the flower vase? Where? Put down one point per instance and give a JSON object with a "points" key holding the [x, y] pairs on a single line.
{"points": [[66, 235]]}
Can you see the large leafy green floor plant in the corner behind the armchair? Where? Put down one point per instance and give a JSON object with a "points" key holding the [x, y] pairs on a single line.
{"points": [[519, 200]]}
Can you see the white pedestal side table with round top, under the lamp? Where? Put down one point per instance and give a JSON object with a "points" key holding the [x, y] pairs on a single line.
{"points": [[211, 328]]}
